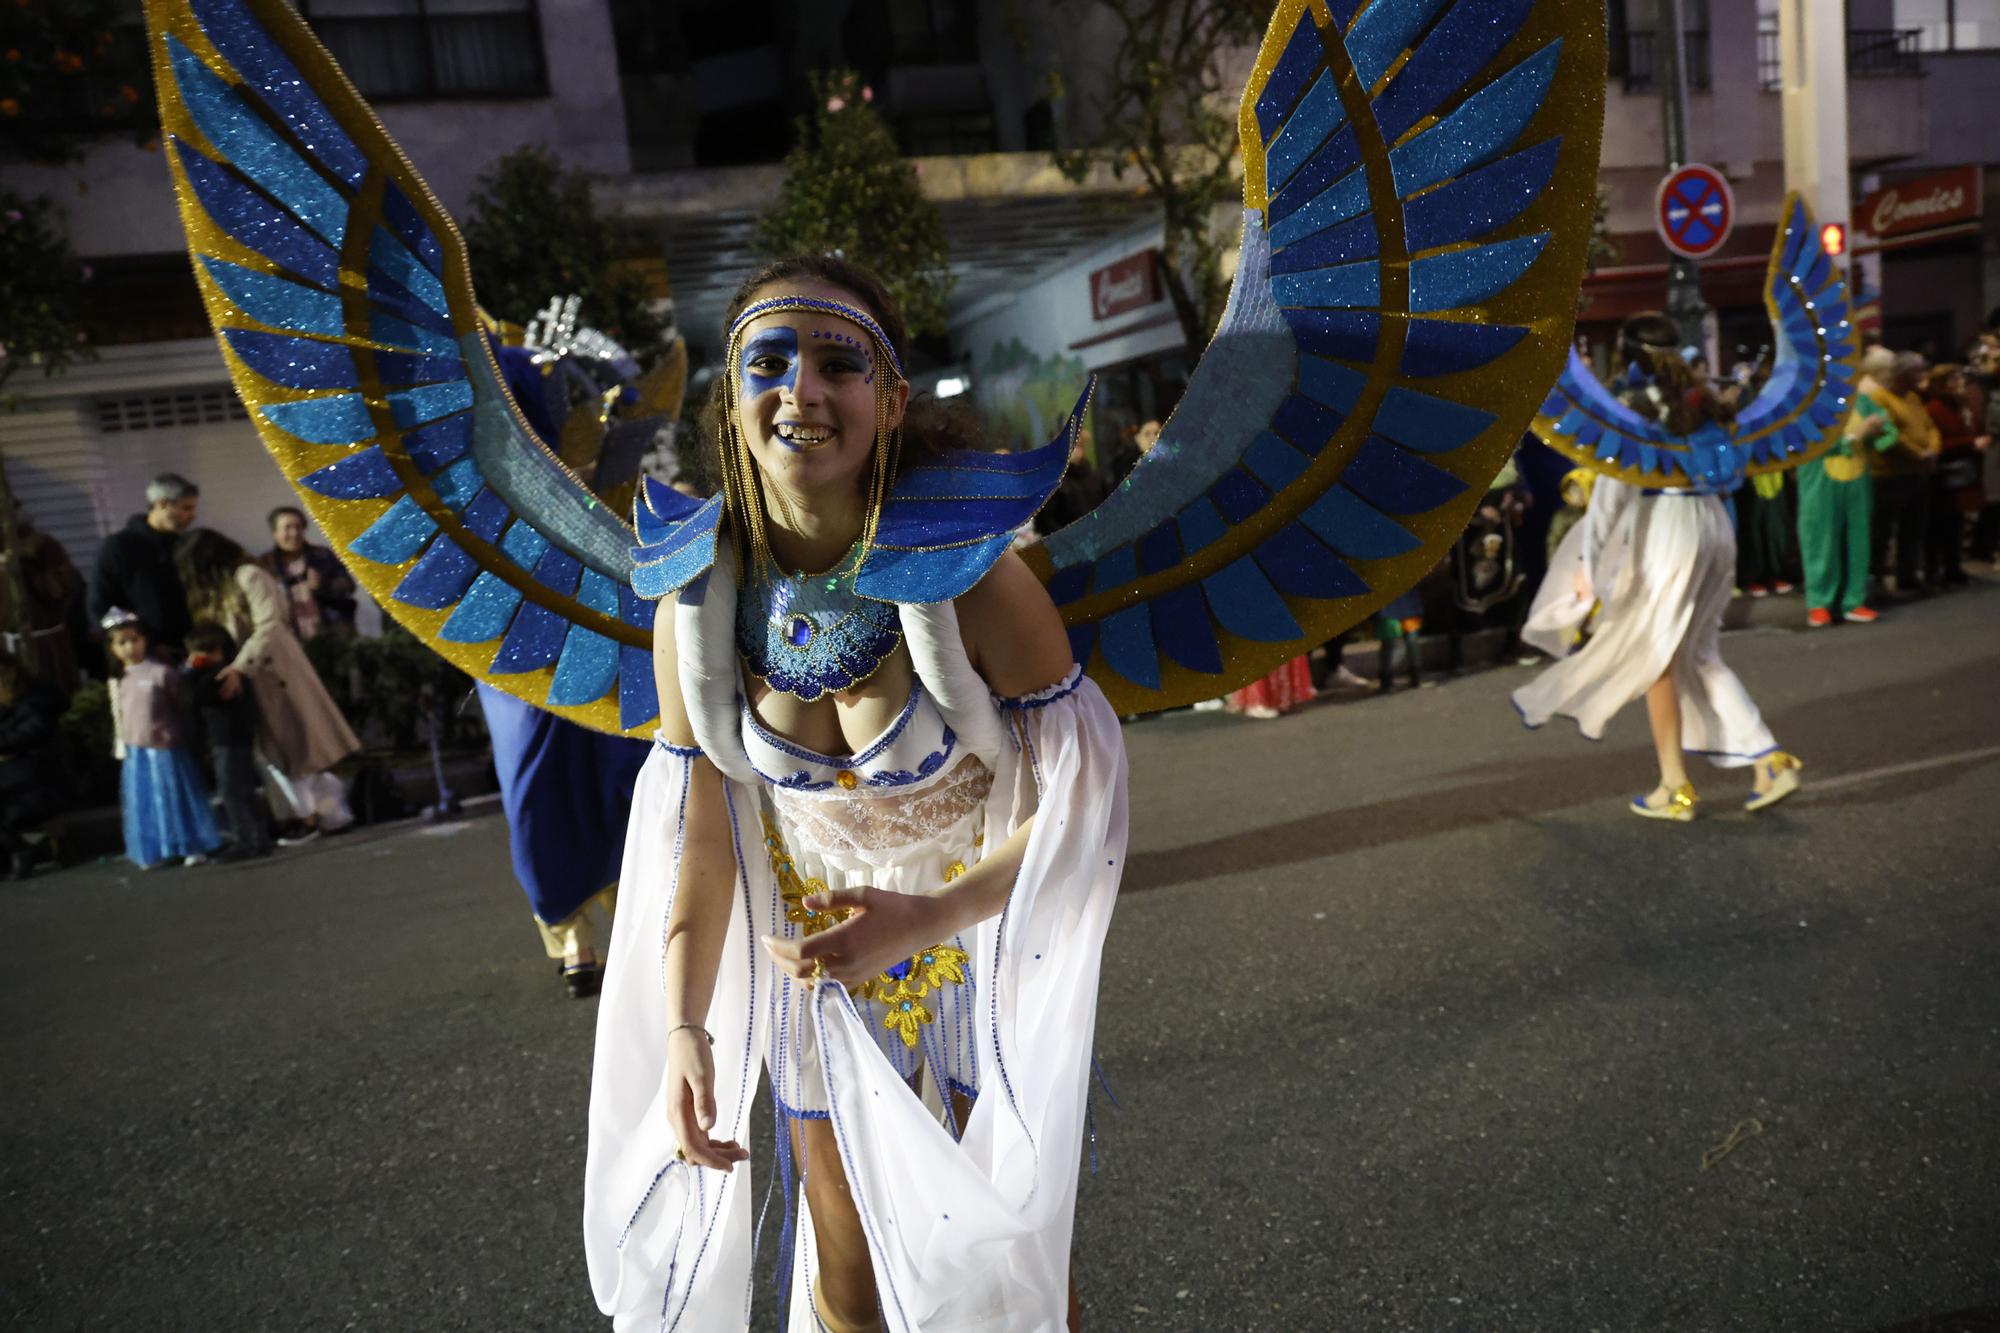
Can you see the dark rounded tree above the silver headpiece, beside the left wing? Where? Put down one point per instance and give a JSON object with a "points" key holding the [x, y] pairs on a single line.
{"points": [[535, 233]]}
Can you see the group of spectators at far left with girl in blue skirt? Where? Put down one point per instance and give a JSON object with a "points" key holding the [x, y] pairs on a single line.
{"points": [[185, 645]]}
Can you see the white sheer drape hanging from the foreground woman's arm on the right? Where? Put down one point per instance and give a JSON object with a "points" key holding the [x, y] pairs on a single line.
{"points": [[975, 1234]]}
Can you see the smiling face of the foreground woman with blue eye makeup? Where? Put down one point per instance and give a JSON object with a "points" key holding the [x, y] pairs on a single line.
{"points": [[807, 399]]}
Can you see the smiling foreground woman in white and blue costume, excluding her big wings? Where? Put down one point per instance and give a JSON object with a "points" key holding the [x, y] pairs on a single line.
{"points": [[879, 844]]}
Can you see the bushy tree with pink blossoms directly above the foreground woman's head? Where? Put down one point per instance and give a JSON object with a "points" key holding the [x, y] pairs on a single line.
{"points": [[849, 189]]}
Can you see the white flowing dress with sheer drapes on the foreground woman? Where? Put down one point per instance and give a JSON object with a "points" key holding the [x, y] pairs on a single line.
{"points": [[965, 1234]]}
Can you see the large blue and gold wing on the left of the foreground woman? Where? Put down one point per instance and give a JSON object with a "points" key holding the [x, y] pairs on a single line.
{"points": [[343, 301]]}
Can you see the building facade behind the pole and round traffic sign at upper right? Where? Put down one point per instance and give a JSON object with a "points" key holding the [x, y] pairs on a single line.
{"points": [[1921, 77]]}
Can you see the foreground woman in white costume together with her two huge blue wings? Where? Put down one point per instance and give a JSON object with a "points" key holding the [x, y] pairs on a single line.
{"points": [[877, 844]]}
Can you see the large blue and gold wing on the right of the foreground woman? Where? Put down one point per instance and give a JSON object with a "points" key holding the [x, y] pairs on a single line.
{"points": [[1419, 189]]}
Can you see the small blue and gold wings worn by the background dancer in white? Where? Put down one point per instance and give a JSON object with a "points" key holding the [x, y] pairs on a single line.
{"points": [[1791, 421]]}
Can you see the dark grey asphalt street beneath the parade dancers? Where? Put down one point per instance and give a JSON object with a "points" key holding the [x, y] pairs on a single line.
{"points": [[1411, 1026]]}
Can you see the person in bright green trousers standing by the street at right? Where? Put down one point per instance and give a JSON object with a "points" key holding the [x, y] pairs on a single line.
{"points": [[1835, 505]]}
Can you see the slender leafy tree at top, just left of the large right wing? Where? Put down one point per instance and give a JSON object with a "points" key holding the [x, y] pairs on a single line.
{"points": [[1169, 119]]}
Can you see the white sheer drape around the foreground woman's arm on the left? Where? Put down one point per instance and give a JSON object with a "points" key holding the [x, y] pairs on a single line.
{"points": [[669, 1244]]}
